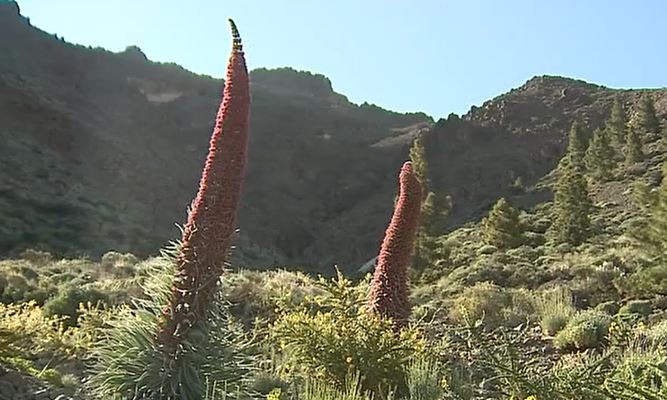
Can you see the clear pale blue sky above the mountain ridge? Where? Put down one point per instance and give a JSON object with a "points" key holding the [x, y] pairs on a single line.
{"points": [[432, 56]]}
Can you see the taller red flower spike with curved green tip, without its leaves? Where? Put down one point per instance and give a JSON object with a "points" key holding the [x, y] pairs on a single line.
{"points": [[208, 234]]}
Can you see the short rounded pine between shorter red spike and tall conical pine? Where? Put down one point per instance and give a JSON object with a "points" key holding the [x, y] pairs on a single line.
{"points": [[501, 228]]}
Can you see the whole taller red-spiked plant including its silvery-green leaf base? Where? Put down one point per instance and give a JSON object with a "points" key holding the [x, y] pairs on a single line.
{"points": [[179, 342]]}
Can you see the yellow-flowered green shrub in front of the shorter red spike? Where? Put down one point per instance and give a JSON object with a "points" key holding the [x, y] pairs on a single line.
{"points": [[339, 337]]}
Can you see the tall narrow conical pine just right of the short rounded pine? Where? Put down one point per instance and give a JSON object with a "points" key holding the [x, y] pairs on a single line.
{"points": [[572, 204]]}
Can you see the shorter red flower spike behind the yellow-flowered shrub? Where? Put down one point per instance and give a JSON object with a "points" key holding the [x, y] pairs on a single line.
{"points": [[388, 295]]}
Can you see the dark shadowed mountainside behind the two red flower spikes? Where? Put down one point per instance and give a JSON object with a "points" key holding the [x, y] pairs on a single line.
{"points": [[103, 150]]}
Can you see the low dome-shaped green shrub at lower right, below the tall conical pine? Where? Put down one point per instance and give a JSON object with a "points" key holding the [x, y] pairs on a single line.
{"points": [[585, 330]]}
